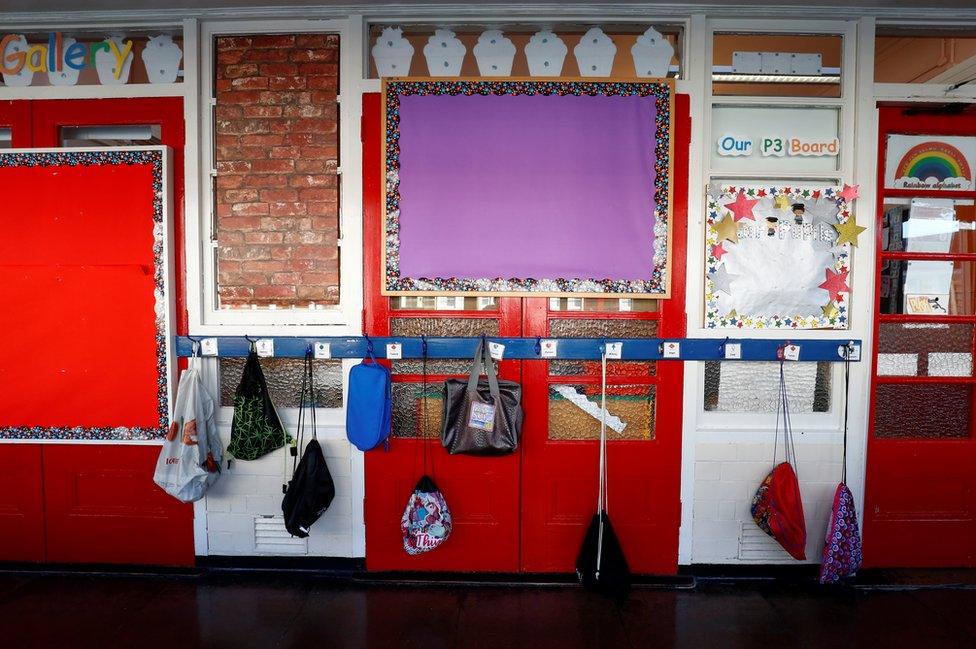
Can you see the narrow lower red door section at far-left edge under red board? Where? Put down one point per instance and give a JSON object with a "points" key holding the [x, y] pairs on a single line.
{"points": [[21, 503]]}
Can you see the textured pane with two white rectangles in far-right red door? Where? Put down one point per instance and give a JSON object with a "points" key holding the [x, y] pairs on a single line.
{"points": [[948, 346]]}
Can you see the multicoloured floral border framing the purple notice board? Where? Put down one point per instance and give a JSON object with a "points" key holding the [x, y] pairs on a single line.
{"points": [[658, 284]]}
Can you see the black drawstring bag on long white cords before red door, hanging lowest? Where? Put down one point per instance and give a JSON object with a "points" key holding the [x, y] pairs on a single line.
{"points": [[601, 565]]}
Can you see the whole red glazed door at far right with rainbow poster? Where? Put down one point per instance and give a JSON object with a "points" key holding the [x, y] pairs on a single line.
{"points": [[920, 501]]}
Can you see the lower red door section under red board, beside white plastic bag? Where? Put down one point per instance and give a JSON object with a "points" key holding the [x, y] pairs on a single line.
{"points": [[103, 507]]}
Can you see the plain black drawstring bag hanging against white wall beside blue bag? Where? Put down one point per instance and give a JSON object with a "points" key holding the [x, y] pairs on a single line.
{"points": [[310, 490]]}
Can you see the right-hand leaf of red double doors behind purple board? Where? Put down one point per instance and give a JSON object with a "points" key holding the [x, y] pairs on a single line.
{"points": [[559, 458]]}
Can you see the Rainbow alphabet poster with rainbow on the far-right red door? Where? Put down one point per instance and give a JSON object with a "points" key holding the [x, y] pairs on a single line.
{"points": [[930, 162]]}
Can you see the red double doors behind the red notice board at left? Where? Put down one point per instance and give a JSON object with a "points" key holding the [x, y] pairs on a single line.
{"points": [[95, 502]]}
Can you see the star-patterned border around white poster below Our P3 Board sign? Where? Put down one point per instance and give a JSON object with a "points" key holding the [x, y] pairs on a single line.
{"points": [[722, 206]]}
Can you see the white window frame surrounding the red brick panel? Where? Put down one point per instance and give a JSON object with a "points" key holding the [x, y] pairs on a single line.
{"points": [[345, 318]]}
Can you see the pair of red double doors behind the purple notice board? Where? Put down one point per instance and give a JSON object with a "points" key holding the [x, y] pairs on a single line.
{"points": [[527, 511]]}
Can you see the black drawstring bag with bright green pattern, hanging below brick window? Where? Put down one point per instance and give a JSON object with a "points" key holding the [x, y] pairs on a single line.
{"points": [[256, 430]]}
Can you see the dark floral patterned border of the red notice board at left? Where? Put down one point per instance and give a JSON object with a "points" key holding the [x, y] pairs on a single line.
{"points": [[98, 158]]}
